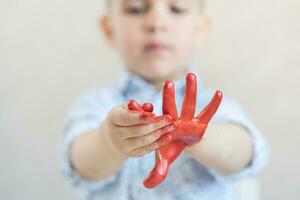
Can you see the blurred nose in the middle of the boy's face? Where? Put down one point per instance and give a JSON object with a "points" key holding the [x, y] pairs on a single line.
{"points": [[157, 18]]}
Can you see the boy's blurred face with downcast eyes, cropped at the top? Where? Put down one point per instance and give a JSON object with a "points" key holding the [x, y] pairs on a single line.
{"points": [[155, 38]]}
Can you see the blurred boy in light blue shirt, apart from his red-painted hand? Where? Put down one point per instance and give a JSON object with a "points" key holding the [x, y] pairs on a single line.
{"points": [[108, 150]]}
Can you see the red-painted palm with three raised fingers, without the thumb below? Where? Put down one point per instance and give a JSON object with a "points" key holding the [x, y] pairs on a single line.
{"points": [[190, 129]]}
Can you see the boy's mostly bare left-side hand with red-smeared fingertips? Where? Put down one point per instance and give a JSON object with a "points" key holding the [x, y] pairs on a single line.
{"points": [[136, 133]]}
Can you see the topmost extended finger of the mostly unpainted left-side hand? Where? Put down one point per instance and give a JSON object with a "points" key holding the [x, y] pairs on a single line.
{"points": [[121, 116]]}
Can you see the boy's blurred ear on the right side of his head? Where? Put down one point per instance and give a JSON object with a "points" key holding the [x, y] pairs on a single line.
{"points": [[203, 29]]}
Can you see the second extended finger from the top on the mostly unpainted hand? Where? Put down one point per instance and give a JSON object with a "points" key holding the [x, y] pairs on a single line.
{"points": [[142, 130]]}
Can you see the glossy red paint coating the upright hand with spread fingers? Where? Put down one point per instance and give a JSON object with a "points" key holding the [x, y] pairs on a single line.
{"points": [[189, 129]]}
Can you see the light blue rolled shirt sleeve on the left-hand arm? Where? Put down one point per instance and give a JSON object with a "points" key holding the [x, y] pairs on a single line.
{"points": [[86, 113]]}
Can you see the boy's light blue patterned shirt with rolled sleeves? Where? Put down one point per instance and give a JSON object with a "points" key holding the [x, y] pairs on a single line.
{"points": [[187, 179]]}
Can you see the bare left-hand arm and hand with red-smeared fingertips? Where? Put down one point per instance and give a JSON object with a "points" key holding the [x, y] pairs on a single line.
{"points": [[99, 153]]}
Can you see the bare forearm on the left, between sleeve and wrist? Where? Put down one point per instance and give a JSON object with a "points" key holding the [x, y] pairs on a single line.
{"points": [[92, 157]]}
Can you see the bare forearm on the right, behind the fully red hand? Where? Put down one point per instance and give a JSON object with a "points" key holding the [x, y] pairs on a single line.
{"points": [[225, 147]]}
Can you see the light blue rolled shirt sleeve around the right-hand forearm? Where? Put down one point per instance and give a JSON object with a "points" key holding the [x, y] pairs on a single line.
{"points": [[231, 111]]}
